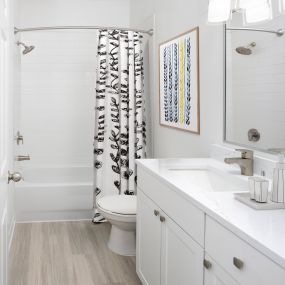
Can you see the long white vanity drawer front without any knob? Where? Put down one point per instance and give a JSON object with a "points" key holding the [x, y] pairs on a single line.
{"points": [[181, 211]]}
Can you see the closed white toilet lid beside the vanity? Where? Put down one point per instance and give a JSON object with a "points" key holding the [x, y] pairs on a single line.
{"points": [[119, 204]]}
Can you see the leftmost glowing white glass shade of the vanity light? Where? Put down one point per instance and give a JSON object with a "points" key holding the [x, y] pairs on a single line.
{"points": [[219, 11]]}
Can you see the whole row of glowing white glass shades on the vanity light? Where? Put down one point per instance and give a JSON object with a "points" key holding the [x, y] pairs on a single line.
{"points": [[254, 11]]}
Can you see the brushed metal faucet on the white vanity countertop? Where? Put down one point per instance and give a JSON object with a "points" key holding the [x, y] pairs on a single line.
{"points": [[245, 162]]}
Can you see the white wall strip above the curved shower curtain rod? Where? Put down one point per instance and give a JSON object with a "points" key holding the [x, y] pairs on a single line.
{"points": [[74, 12]]}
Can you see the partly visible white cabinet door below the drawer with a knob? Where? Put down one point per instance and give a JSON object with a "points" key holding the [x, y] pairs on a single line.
{"points": [[215, 275]]}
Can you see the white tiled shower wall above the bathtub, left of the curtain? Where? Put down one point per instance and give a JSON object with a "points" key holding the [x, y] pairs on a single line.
{"points": [[58, 89]]}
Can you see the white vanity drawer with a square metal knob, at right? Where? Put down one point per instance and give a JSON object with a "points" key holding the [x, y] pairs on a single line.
{"points": [[247, 265]]}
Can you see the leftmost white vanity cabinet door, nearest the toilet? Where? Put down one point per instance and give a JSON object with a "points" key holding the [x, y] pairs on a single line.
{"points": [[148, 241]]}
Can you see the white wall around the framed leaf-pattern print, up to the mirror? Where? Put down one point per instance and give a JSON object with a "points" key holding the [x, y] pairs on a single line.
{"points": [[171, 19]]}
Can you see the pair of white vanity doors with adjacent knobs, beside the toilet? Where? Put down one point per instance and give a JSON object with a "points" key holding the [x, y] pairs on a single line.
{"points": [[166, 255]]}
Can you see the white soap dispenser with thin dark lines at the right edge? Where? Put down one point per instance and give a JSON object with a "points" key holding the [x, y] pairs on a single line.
{"points": [[278, 189]]}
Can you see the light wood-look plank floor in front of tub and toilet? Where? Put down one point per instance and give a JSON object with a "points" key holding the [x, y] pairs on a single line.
{"points": [[67, 253]]}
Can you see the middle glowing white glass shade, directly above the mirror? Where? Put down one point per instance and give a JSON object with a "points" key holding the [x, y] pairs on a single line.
{"points": [[259, 12]]}
